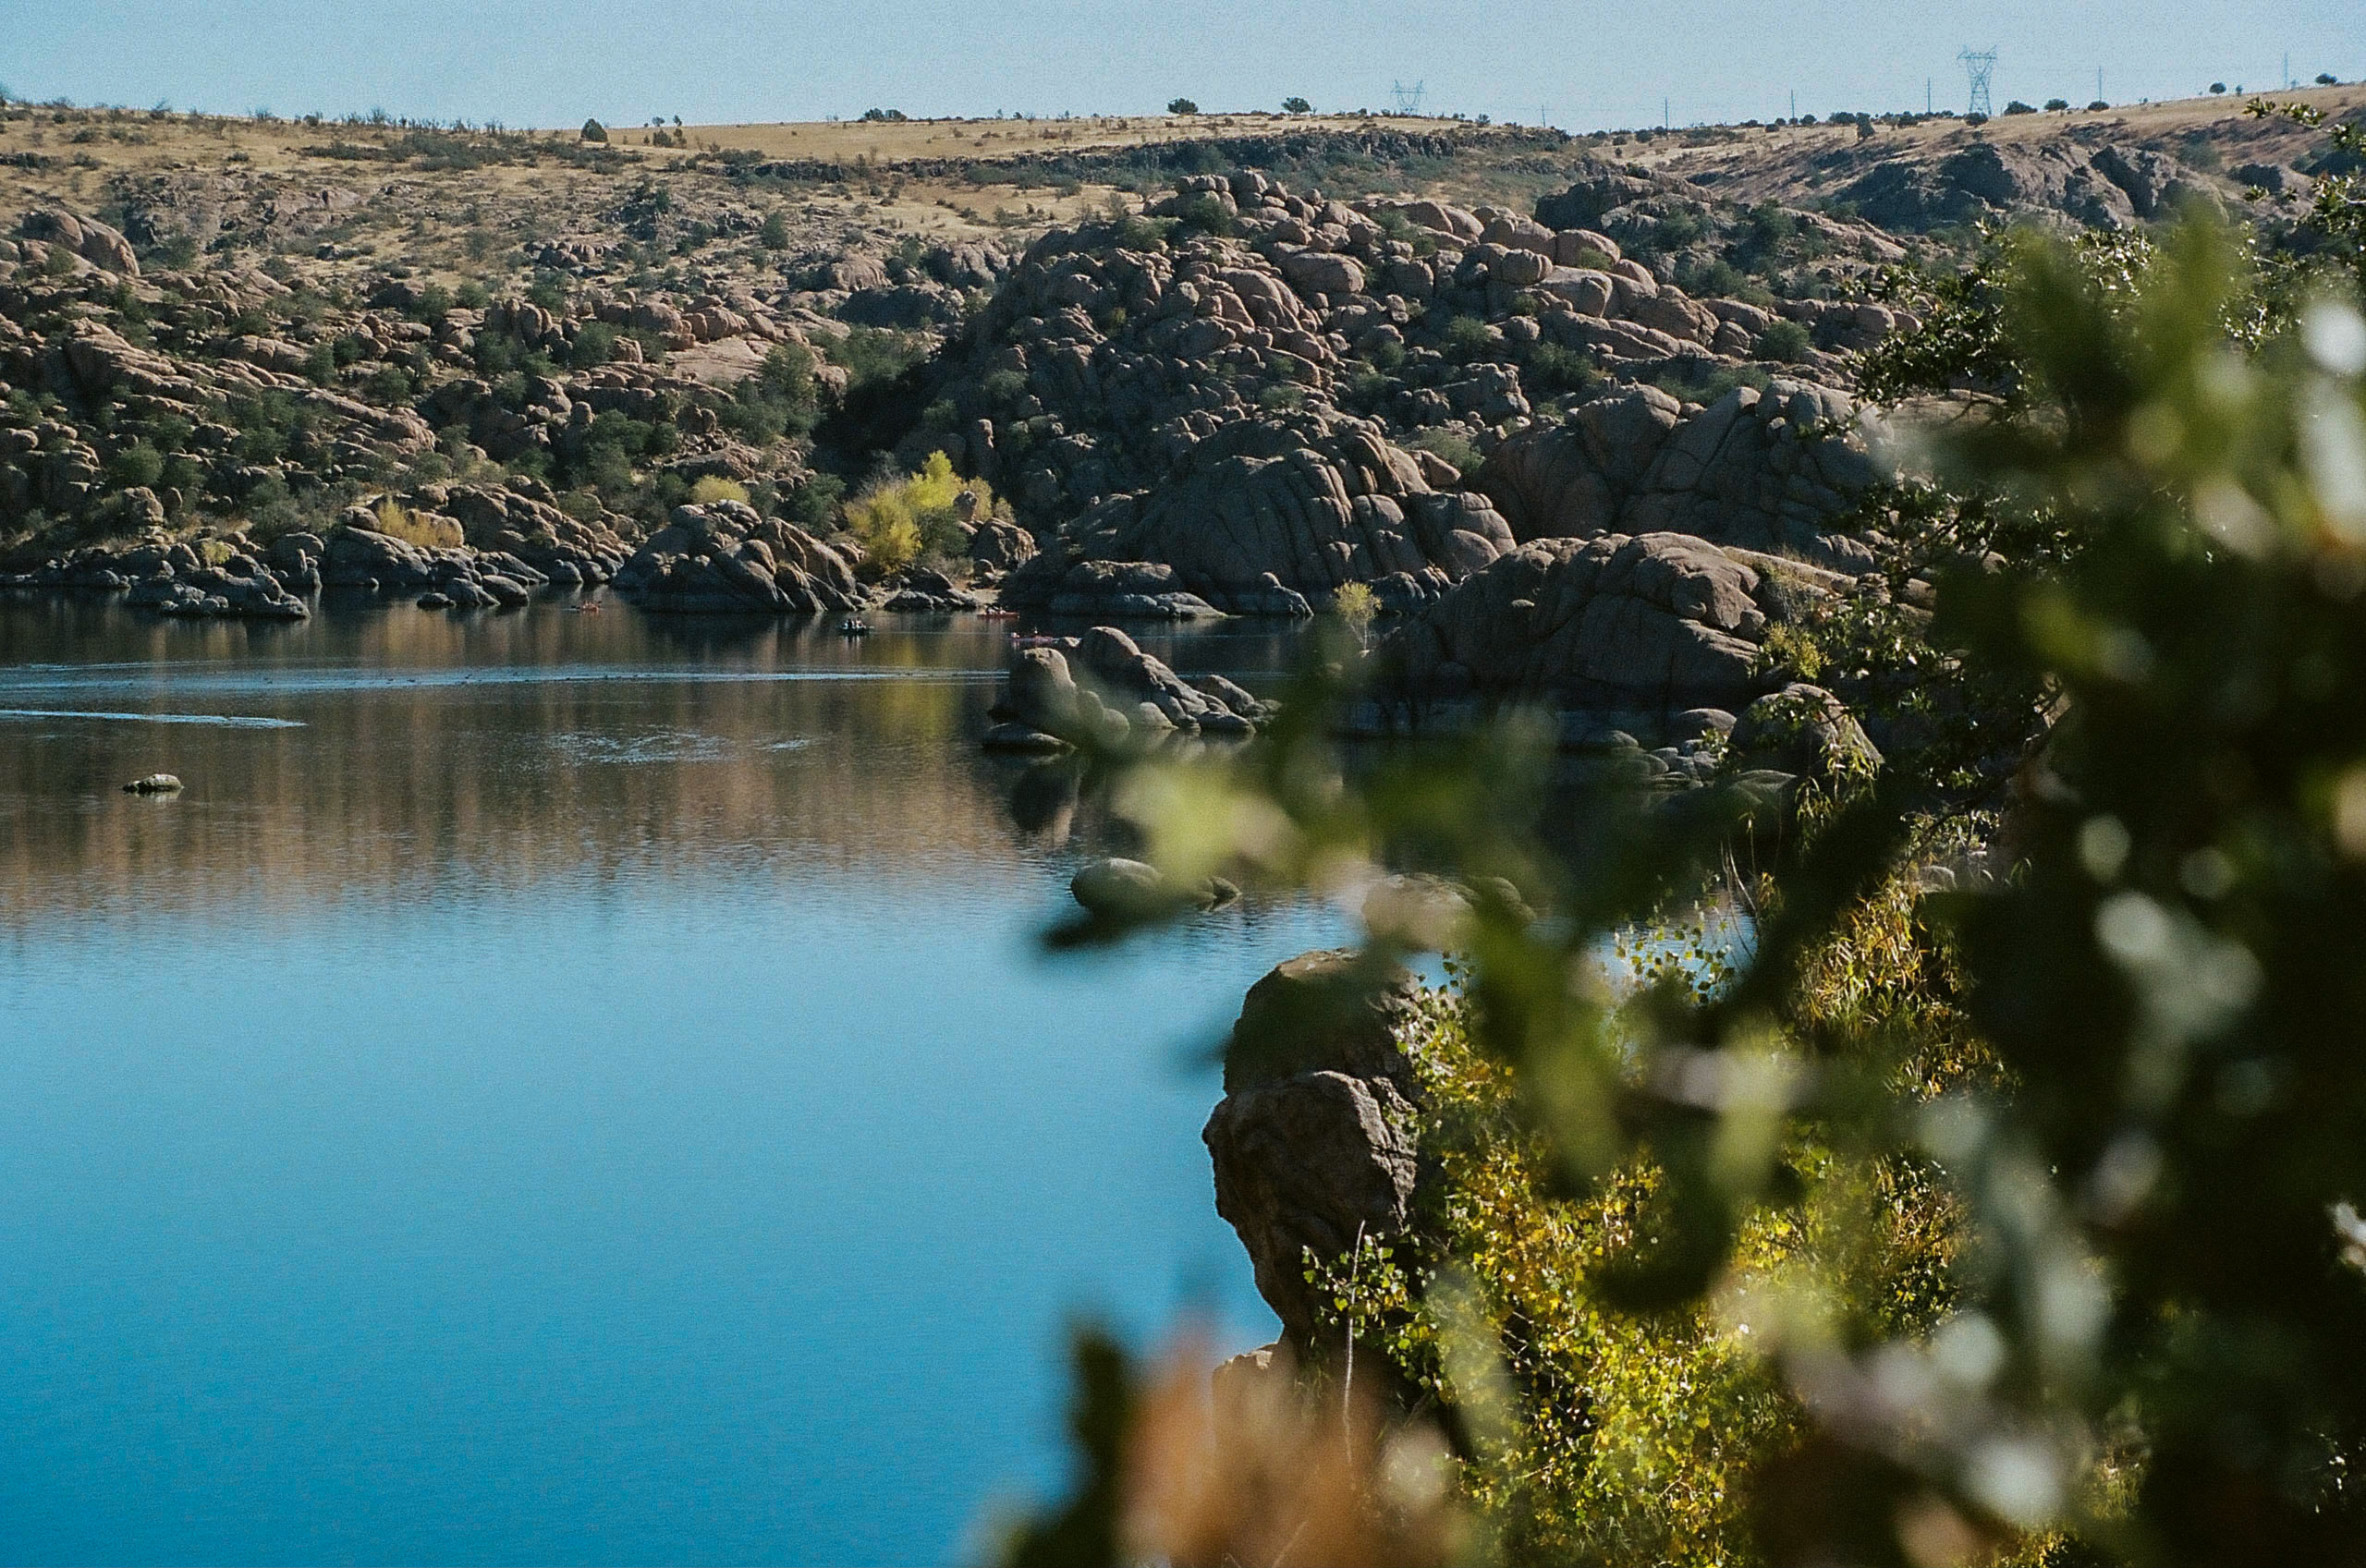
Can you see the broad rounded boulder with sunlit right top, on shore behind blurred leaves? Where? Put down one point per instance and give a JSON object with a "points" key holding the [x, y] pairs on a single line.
{"points": [[1655, 623]]}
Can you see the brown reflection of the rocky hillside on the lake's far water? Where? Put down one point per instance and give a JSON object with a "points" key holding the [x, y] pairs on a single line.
{"points": [[375, 753]]}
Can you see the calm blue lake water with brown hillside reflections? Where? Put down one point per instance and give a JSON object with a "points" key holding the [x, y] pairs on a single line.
{"points": [[569, 1089]]}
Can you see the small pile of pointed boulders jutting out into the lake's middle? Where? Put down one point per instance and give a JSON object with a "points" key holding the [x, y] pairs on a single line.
{"points": [[1104, 692]]}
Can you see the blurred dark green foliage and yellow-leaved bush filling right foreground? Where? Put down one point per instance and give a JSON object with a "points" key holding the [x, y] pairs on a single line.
{"points": [[1996, 1200]]}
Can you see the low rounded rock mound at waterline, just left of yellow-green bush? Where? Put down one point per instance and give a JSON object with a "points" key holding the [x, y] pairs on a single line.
{"points": [[723, 559]]}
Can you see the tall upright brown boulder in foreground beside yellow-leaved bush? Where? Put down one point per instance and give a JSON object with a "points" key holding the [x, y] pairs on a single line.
{"points": [[1317, 1139]]}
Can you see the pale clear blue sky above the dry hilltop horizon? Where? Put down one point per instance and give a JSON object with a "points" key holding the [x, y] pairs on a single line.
{"points": [[552, 63]]}
